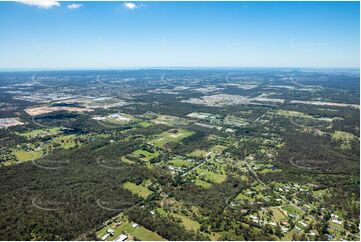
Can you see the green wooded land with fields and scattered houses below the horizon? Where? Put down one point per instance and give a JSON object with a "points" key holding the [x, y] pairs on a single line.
{"points": [[264, 169]]}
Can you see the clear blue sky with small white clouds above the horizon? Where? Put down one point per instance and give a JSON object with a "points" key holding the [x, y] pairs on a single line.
{"points": [[107, 35]]}
